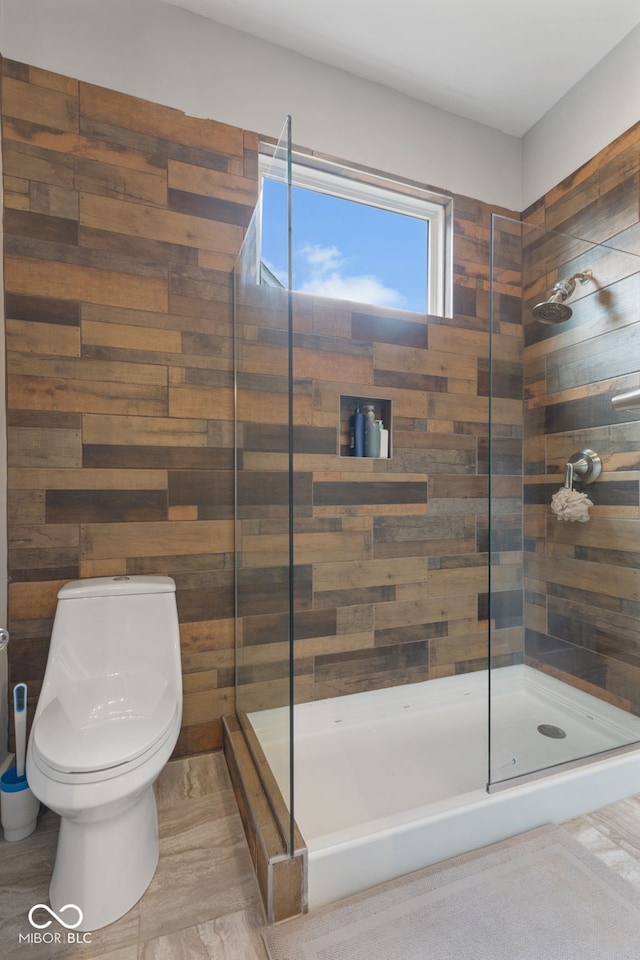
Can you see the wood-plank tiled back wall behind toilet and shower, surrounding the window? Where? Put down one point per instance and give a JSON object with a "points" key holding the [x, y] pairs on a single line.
{"points": [[123, 219]]}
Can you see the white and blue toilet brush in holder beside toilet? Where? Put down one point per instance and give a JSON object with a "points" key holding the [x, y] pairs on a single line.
{"points": [[18, 805]]}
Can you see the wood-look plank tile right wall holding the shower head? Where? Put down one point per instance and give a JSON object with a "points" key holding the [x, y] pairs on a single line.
{"points": [[583, 580]]}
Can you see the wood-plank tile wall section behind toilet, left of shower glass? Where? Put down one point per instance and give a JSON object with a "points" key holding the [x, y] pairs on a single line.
{"points": [[122, 221]]}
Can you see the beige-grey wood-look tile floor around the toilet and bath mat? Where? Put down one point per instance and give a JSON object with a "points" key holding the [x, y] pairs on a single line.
{"points": [[203, 902]]}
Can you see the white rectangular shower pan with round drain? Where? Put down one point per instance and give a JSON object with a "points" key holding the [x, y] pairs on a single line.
{"points": [[393, 780]]}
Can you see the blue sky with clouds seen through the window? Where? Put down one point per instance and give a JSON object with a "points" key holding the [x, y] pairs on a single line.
{"points": [[345, 249]]}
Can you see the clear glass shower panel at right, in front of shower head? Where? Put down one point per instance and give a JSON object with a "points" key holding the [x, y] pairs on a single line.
{"points": [[564, 616]]}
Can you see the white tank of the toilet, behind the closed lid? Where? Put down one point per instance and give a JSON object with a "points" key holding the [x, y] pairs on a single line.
{"points": [[106, 626]]}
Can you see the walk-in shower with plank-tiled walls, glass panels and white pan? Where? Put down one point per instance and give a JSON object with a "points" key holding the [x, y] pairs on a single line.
{"points": [[427, 660]]}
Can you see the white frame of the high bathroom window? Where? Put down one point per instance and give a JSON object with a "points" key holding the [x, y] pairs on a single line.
{"points": [[396, 196]]}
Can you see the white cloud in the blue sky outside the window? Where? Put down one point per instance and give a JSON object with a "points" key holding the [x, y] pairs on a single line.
{"points": [[327, 276]]}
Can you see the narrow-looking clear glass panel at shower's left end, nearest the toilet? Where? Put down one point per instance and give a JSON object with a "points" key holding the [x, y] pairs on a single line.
{"points": [[263, 517]]}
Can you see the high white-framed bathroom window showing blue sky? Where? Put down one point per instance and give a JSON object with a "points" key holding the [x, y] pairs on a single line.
{"points": [[355, 236]]}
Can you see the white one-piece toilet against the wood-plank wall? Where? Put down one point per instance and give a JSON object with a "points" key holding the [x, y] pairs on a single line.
{"points": [[107, 720]]}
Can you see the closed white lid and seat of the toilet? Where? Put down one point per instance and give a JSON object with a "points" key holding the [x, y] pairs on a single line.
{"points": [[96, 724]]}
